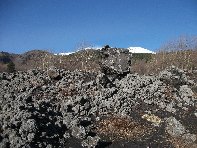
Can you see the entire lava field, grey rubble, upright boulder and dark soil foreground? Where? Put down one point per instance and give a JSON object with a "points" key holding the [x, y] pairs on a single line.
{"points": [[113, 108]]}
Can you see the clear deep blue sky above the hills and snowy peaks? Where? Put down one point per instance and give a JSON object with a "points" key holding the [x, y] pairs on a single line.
{"points": [[60, 25]]}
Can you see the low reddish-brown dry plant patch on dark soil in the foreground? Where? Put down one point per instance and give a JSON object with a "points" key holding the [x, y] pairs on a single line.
{"points": [[121, 128]]}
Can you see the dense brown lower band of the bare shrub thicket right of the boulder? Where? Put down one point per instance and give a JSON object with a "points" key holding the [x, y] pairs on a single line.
{"points": [[183, 59]]}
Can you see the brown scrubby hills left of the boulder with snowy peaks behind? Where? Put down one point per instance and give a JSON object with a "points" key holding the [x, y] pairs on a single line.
{"points": [[87, 59]]}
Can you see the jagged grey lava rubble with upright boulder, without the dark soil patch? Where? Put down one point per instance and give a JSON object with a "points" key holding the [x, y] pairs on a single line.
{"points": [[68, 103]]}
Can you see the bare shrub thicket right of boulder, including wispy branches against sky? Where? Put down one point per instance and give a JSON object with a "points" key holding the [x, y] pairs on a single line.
{"points": [[181, 53]]}
